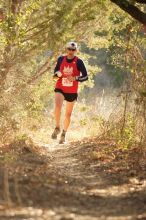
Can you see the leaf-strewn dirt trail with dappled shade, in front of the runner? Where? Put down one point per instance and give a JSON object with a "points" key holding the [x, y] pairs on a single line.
{"points": [[73, 181]]}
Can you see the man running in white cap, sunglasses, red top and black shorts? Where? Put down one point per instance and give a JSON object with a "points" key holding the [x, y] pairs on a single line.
{"points": [[67, 73]]}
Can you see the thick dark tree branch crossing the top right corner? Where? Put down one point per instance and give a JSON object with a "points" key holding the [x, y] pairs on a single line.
{"points": [[131, 10]]}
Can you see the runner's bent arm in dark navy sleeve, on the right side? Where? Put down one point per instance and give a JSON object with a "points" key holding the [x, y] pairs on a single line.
{"points": [[81, 67]]}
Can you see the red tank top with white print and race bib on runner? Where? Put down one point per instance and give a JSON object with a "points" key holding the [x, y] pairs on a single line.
{"points": [[68, 69]]}
